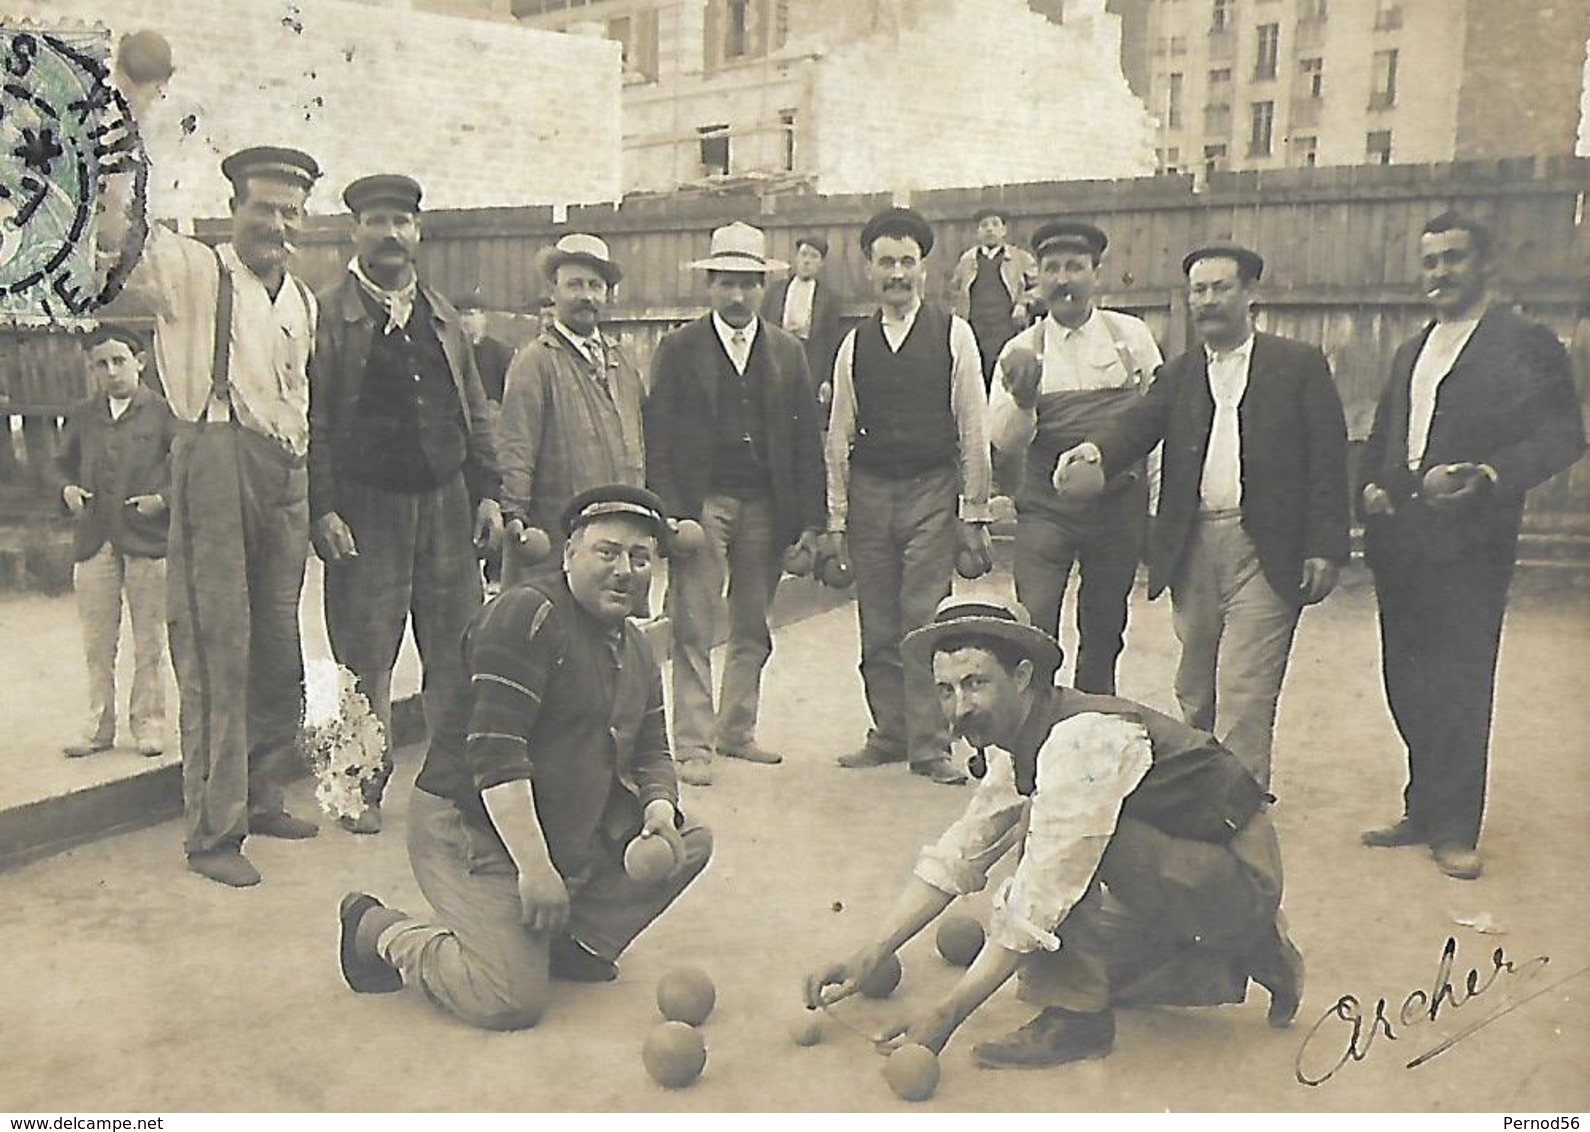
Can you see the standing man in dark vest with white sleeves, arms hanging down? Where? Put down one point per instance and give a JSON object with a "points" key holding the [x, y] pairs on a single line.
{"points": [[909, 486]]}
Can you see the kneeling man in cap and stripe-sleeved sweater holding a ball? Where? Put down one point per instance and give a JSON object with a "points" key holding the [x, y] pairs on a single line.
{"points": [[524, 808]]}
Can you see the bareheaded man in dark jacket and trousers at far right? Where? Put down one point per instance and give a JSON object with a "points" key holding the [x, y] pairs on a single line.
{"points": [[1481, 408]]}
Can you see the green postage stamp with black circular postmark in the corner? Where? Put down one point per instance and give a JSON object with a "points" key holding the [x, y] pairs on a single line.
{"points": [[64, 134]]}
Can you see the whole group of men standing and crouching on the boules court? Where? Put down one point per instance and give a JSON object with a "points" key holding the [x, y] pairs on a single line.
{"points": [[357, 421]]}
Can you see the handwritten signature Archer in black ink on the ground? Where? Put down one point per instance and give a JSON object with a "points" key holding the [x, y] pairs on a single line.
{"points": [[1349, 1020]]}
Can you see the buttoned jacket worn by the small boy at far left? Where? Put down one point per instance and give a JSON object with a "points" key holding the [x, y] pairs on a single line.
{"points": [[117, 460]]}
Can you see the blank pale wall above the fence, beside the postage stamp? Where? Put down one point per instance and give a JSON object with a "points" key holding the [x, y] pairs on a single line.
{"points": [[483, 114]]}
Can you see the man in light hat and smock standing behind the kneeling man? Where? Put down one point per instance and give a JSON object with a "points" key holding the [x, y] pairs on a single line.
{"points": [[572, 409]]}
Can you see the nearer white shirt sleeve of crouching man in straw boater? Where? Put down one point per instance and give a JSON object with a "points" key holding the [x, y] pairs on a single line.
{"points": [[1087, 769]]}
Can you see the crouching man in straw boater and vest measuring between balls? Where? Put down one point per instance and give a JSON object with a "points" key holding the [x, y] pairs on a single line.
{"points": [[1101, 793]]}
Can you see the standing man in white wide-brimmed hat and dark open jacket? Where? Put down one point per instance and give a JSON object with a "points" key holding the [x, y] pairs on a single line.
{"points": [[732, 444]]}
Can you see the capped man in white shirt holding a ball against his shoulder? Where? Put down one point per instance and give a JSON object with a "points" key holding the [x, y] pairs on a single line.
{"points": [[1053, 386]]}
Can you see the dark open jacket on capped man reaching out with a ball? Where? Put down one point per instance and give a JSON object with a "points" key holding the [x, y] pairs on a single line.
{"points": [[1293, 459]]}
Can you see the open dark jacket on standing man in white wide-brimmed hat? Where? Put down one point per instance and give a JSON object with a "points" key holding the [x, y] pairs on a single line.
{"points": [[681, 417]]}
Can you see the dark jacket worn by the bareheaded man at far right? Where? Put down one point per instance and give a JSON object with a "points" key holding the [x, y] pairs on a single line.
{"points": [[1508, 401]]}
